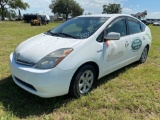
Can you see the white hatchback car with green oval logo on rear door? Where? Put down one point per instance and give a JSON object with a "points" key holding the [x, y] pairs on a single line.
{"points": [[72, 56]]}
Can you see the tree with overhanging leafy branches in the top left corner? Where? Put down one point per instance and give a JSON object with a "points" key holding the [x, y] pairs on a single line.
{"points": [[14, 4]]}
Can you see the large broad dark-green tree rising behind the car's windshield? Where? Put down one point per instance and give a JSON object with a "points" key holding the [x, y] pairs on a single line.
{"points": [[66, 7]]}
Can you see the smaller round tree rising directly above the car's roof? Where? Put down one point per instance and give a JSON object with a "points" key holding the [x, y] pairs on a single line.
{"points": [[112, 8]]}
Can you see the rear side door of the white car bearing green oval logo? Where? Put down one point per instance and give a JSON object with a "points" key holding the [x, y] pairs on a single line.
{"points": [[137, 37]]}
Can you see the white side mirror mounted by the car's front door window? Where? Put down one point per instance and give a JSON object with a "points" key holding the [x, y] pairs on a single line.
{"points": [[112, 36]]}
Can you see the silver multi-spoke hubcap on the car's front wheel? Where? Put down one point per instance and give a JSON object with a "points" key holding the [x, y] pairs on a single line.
{"points": [[86, 81]]}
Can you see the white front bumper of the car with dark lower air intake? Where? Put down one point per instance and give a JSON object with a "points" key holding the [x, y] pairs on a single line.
{"points": [[43, 83]]}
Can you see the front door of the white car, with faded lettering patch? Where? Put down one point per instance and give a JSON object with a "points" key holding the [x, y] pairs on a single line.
{"points": [[115, 51]]}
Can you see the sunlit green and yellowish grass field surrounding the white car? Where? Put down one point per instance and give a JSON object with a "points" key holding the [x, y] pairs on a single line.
{"points": [[132, 92]]}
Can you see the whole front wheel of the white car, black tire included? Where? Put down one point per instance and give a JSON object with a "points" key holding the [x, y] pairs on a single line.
{"points": [[82, 81]]}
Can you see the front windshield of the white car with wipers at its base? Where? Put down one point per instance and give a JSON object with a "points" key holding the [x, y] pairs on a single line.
{"points": [[78, 28]]}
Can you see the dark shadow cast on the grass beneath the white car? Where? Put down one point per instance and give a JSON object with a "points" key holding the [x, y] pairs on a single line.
{"points": [[23, 104]]}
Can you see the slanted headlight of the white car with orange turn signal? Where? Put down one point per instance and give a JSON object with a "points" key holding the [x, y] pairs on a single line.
{"points": [[53, 59]]}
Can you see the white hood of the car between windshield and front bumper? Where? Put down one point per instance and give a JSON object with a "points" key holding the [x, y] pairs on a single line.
{"points": [[37, 47]]}
